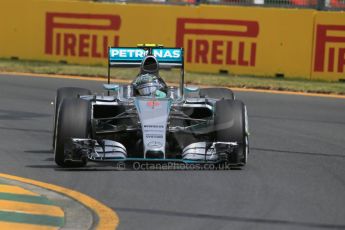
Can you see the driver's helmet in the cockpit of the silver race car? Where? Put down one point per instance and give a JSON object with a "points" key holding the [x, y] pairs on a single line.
{"points": [[146, 84]]}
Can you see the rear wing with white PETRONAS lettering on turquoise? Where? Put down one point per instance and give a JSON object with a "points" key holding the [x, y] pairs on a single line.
{"points": [[167, 57]]}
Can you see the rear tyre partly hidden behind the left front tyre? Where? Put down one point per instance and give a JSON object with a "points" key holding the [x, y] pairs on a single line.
{"points": [[61, 94]]}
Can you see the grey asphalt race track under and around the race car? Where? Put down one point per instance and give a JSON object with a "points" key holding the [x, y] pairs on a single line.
{"points": [[295, 178]]}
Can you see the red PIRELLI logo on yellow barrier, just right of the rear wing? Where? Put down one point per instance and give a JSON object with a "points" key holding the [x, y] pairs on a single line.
{"points": [[218, 41]]}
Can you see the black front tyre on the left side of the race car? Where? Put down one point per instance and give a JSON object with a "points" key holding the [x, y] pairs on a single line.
{"points": [[73, 120]]}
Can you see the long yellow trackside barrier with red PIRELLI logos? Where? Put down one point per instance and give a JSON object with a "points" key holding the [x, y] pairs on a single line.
{"points": [[298, 43]]}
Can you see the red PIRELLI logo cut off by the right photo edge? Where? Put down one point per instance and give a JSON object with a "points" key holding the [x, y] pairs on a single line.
{"points": [[329, 48]]}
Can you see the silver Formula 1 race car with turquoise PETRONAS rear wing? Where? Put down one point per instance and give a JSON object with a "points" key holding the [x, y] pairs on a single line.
{"points": [[148, 120]]}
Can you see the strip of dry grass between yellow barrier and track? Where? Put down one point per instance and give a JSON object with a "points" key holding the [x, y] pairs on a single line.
{"points": [[271, 83]]}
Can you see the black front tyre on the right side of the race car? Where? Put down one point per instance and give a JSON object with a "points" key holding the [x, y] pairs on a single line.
{"points": [[231, 125]]}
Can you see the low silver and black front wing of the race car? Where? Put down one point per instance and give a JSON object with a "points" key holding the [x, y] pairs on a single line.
{"points": [[112, 151]]}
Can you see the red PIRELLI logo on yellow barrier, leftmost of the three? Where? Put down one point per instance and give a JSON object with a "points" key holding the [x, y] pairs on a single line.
{"points": [[81, 35]]}
